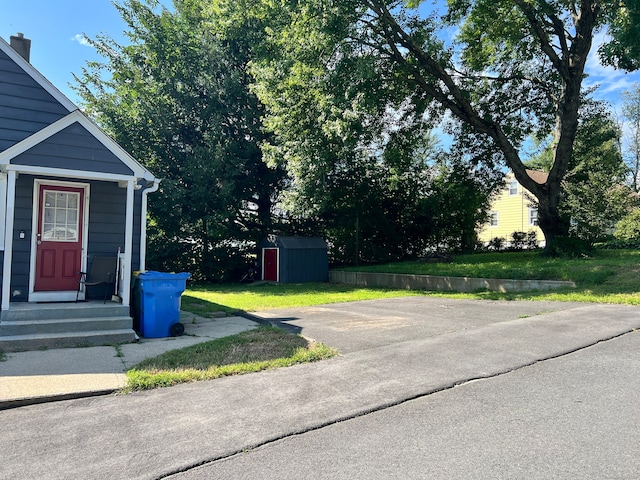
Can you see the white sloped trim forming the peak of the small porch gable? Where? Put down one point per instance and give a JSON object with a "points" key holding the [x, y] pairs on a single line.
{"points": [[75, 117]]}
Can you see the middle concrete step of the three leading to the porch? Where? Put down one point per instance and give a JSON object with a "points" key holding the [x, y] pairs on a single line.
{"points": [[52, 326]]}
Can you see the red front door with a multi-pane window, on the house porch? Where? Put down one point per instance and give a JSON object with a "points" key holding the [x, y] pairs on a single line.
{"points": [[59, 238]]}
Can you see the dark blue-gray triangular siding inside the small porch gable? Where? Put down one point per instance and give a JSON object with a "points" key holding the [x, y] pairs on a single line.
{"points": [[73, 148]]}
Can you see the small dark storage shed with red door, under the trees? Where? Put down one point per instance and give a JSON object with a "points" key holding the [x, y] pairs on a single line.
{"points": [[294, 259]]}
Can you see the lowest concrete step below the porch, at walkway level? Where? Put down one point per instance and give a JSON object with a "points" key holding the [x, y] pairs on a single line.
{"points": [[18, 343]]}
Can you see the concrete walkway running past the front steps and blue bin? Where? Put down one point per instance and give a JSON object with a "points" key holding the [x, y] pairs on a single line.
{"points": [[58, 374]]}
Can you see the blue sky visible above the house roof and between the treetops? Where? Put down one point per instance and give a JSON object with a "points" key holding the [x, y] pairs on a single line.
{"points": [[56, 27]]}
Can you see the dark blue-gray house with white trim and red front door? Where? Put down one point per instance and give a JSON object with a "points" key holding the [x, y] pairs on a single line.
{"points": [[68, 192]]}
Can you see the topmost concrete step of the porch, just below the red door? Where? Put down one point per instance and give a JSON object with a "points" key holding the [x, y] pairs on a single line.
{"points": [[63, 311]]}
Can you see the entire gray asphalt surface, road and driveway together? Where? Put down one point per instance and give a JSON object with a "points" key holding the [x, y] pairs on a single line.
{"points": [[425, 388]]}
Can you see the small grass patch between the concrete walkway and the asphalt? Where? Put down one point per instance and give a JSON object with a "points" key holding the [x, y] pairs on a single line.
{"points": [[251, 351]]}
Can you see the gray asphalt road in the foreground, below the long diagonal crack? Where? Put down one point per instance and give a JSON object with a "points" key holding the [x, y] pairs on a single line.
{"points": [[573, 417]]}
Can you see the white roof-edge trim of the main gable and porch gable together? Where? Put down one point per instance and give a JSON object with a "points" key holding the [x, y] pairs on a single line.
{"points": [[75, 116]]}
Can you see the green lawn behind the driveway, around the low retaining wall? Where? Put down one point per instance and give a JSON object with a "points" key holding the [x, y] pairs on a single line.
{"points": [[609, 276]]}
